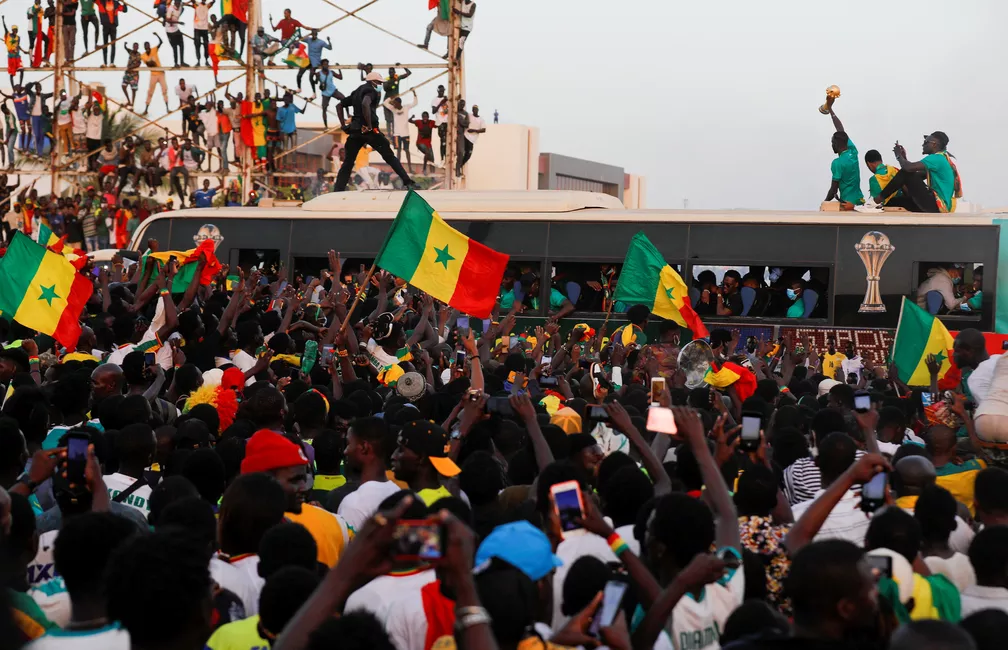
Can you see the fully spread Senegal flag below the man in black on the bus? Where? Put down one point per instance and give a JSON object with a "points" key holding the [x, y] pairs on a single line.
{"points": [[425, 251]]}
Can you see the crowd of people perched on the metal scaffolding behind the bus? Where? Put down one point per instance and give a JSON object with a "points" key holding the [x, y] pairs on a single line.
{"points": [[76, 131]]}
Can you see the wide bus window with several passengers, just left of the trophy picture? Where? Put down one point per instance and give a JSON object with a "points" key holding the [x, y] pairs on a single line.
{"points": [[761, 292]]}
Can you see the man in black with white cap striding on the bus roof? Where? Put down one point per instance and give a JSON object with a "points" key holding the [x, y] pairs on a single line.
{"points": [[363, 132]]}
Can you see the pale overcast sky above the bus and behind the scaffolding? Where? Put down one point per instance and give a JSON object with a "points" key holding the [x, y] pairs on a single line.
{"points": [[713, 102]]}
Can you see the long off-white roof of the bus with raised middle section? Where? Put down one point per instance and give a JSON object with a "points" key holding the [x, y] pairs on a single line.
{"points": [[548, 206]]}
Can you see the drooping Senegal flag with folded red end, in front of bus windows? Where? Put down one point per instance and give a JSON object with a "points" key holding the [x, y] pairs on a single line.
{"points": [[648, 280]]}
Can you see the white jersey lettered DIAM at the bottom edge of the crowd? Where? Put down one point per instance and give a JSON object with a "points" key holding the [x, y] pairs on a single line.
{"points": [[698, 624]]}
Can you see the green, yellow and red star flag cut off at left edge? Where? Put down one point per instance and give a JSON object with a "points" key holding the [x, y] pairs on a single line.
{"points": [[43, 291]]}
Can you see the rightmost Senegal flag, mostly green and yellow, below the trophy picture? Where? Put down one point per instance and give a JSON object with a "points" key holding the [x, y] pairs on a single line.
{"points": [[919, 335]]}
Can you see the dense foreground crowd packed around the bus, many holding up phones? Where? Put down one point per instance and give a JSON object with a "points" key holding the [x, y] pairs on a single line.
{"points": [[248, 461]]}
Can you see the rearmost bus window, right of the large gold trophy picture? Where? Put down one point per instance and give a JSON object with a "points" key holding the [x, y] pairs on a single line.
{"points": [[953, 289]]}
